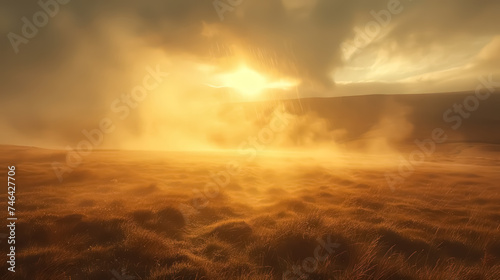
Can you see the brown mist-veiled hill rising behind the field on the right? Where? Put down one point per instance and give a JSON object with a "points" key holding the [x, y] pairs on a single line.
{"points": [[402, 118]]}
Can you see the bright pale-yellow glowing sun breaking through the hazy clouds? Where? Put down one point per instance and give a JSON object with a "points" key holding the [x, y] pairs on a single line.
{"points": [[249, 82]]}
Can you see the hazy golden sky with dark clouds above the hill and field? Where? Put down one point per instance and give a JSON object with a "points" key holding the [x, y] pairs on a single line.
{"points": [[66, 74]]}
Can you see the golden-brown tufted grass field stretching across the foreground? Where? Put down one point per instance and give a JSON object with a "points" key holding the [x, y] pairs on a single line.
{"points": [[136, 215]]}
